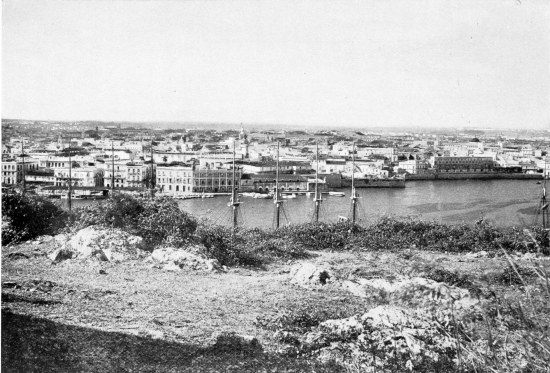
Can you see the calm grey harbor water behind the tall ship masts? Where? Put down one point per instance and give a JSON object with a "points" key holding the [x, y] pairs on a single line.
{"points": [[501, 202]]}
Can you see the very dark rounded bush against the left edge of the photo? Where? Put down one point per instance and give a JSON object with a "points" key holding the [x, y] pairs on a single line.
{"points": [[26, 216]]}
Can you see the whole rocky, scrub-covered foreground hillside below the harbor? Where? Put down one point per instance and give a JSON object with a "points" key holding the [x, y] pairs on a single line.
{"points": [[137, 285]]}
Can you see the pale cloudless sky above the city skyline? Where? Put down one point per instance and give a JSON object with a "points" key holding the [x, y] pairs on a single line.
{"points": [[367, 63]]}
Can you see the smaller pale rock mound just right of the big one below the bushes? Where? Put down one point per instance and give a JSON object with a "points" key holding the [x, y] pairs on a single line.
{"points": [[174, 259]]}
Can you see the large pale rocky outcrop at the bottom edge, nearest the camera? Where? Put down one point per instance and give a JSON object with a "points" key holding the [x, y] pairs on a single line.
{"points": [[382, 337]]}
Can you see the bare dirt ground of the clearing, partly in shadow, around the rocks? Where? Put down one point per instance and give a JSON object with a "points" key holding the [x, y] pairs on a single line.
{"points": [[130, 317]]}
